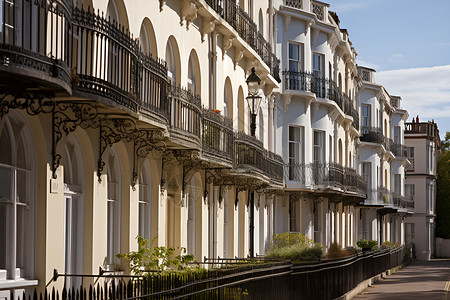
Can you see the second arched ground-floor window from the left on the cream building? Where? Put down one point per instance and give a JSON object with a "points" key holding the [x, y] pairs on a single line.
{"points": [[73, 163]]}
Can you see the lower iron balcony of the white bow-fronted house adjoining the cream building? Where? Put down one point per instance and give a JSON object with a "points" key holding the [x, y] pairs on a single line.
{"points": [[327, 175]]}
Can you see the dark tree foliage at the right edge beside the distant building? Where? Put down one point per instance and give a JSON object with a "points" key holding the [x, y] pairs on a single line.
{"points": [[443, 195]]}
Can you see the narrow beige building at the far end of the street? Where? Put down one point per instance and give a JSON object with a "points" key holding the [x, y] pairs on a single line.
{"points": [[423, 142]]}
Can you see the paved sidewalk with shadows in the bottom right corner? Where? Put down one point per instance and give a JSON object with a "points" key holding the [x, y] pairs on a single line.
{"points": [[421, 280]]}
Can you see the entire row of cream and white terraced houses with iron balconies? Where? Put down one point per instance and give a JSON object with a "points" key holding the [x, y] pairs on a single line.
{"points": [[124, 118]]}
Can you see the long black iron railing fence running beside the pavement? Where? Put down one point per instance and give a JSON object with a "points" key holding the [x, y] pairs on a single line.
{"points": [[243, 279]]}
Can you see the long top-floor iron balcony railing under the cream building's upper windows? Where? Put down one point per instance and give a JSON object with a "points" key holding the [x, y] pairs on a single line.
{"points": [[230, 11]]}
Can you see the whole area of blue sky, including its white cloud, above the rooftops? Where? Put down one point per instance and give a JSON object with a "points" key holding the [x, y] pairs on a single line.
{"points": [[408, 43]]}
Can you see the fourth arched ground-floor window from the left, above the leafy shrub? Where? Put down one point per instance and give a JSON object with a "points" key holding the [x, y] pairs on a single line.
{"points": [[145, 202]]}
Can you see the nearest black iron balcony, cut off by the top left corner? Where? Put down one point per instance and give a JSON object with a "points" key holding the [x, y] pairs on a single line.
{"points": [[34, 44]]}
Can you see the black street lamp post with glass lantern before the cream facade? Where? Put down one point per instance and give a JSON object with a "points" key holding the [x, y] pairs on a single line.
{"points": [[254, 101]]}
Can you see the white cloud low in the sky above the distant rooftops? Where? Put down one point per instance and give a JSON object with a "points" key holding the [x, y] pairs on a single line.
{"points": [[425, 91]]}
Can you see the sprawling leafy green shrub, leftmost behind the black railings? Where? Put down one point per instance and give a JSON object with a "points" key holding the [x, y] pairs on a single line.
{"points": [[154, 258]]}
